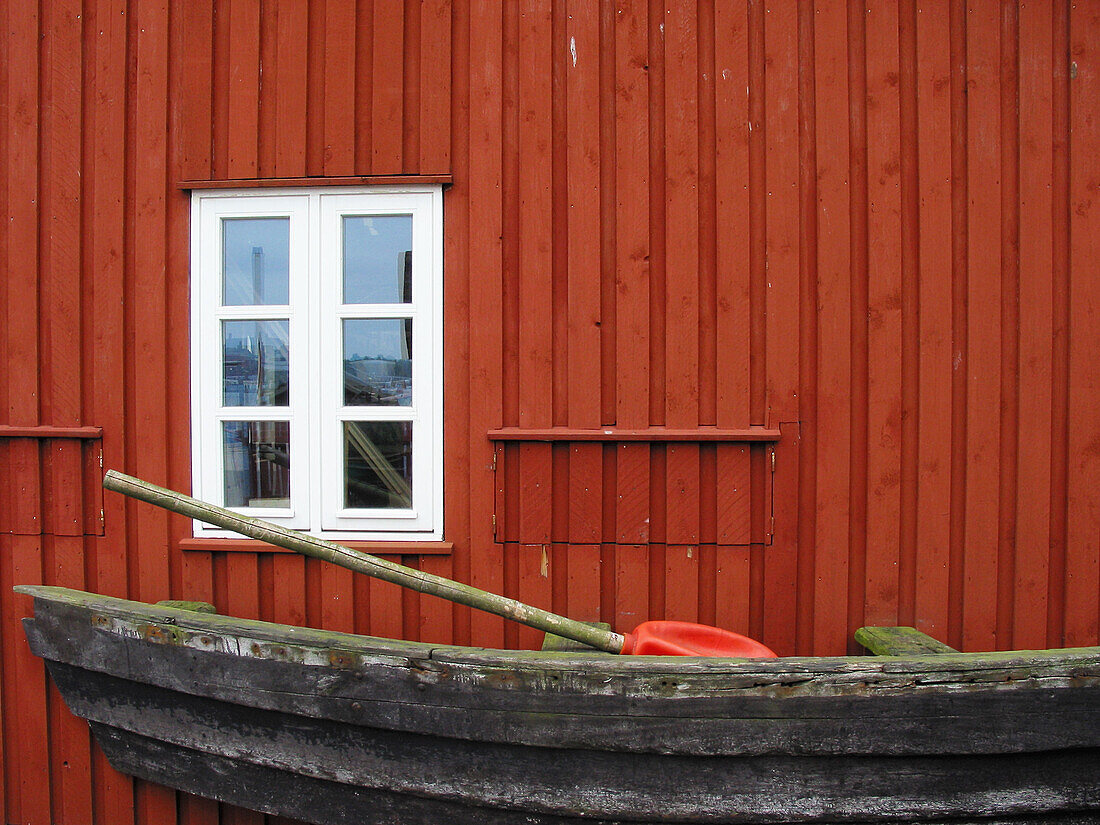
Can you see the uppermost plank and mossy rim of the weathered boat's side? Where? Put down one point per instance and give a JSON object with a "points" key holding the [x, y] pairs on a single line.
{"points": [[667, 706]]}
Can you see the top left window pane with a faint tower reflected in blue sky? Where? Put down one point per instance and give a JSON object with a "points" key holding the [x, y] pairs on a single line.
{"points": [[256, 261]]}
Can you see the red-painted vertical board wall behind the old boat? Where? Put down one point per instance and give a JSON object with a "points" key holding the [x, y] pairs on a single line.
{"points": [[779, 316]]}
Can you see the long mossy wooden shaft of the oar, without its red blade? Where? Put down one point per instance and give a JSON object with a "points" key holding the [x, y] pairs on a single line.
{"points": [[361, 563]]}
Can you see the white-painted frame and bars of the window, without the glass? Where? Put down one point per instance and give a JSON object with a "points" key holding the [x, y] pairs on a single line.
{"points": [[316, 361]]}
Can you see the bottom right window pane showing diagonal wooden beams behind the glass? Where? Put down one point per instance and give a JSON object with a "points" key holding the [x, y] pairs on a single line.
{"points": [[379, 465]]}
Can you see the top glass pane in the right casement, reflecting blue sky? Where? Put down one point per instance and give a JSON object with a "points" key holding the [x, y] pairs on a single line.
{"points": [[379, 259]]}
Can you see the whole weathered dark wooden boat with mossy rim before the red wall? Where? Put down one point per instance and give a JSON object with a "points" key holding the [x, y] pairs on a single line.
{"points": [[337, 729]]}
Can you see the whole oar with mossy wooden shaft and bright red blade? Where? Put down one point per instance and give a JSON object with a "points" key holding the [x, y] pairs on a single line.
{"points": [[683, 639]]}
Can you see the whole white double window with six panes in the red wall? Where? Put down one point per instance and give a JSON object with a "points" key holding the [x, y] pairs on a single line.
{"points": [[317, 358]]}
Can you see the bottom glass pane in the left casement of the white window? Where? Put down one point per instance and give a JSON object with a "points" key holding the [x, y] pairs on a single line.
{"points": [[258, 464]]}
